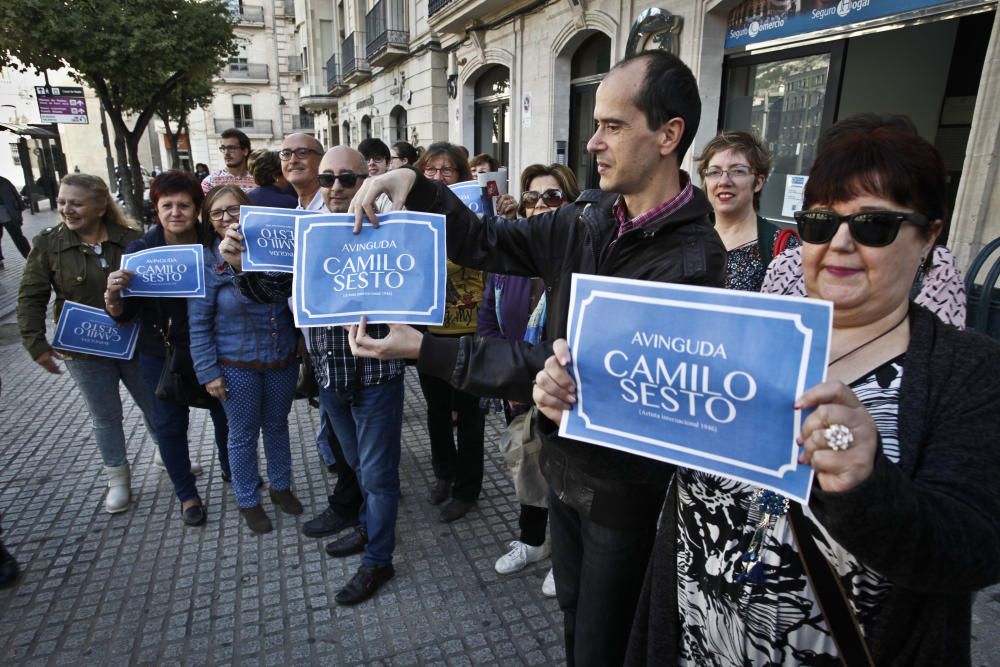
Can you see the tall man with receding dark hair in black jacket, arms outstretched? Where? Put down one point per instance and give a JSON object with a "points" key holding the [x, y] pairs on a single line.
{"points": [[647, 222]]}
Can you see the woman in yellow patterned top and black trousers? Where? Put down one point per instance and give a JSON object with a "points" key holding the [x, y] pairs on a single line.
{"points": [[458, 467]]}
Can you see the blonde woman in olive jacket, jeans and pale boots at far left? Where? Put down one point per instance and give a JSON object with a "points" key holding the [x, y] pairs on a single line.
{"points": [[73, 259]]}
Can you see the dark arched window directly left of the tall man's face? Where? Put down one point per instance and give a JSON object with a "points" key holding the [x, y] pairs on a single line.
{"points": [[591, 62]]}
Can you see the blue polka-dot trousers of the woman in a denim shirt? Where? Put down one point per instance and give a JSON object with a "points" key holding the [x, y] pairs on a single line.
{"points": [[257, 403]]}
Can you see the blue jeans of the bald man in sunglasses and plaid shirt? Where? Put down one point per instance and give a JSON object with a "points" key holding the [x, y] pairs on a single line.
{"points": [[369, 428]]}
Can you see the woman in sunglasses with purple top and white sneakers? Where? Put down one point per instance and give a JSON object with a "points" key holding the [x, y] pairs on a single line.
{"points": [[514, 308]]}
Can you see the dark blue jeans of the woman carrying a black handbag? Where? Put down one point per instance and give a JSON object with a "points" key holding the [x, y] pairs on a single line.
{"points": [[170, 423]]}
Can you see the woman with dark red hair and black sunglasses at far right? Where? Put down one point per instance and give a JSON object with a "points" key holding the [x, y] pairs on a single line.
{"points": [[905, 504]]}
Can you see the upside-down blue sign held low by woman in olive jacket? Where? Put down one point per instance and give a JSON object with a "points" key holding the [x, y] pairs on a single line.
{"points": [[92, 331]]}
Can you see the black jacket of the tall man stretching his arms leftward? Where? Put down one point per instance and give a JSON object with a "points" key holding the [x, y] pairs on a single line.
{"points": [[611, 487]]}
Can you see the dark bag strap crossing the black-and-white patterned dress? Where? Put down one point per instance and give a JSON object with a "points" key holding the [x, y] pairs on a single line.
{"points": [[830, 594]]}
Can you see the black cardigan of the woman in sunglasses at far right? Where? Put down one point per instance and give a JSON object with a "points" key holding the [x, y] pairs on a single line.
{"points": [[929, 524]]}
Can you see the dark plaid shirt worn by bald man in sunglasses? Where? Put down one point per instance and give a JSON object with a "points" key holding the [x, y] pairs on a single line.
{"points": [[328, 347]]}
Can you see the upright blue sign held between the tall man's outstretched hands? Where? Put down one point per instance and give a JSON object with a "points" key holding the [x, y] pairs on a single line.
{"points": [[395, 273]]}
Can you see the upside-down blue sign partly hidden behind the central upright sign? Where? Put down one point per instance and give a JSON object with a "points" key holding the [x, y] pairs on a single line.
{"points": [[268, 237]]}
